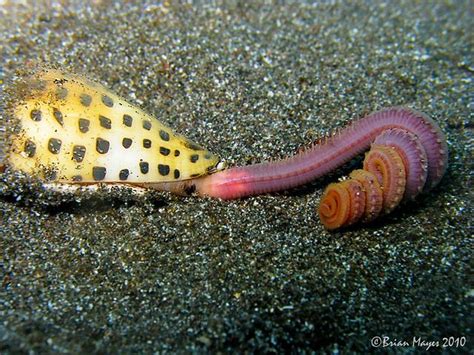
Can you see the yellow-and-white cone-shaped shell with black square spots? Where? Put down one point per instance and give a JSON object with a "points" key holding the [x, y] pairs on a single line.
{"points": [[72, 130]]}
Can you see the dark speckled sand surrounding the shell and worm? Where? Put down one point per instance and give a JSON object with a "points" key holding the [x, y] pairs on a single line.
{"points": [[118, 273]]}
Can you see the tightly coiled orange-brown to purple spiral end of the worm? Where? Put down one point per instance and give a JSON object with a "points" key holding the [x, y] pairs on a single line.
{"points": [[395, 169]]}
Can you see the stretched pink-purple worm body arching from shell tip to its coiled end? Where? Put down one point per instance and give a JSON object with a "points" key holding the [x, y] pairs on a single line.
{"points": [[424, 137]]}
